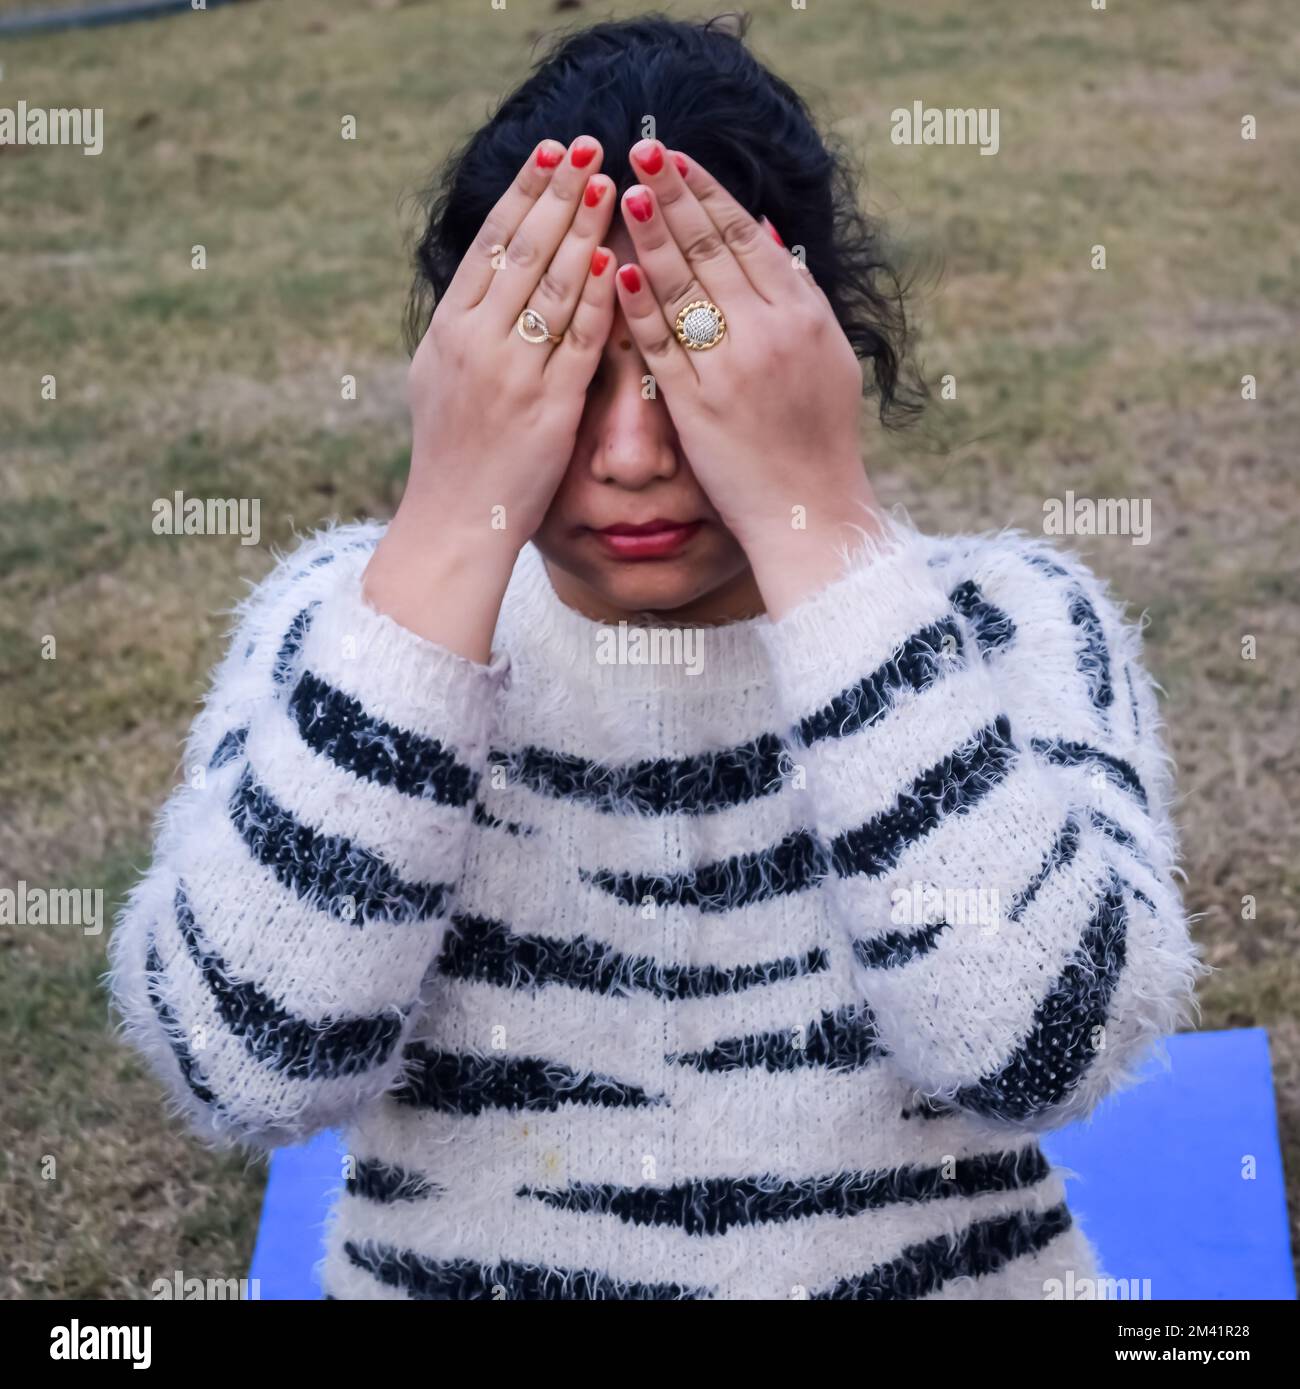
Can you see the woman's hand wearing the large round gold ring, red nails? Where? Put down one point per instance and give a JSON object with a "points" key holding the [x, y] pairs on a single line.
{"points": [[769, 417]]}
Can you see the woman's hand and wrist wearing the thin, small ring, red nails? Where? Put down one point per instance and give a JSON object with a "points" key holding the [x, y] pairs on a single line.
{"points": [[495, 417]]}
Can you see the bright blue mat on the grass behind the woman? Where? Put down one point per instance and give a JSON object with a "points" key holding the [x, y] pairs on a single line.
{"points": [[1178, 1181]]}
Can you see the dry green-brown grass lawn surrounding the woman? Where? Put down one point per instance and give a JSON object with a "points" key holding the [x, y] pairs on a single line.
{"points": [[223, 130]]}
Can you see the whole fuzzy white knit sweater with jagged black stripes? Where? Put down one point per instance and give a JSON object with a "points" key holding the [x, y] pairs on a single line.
{"points": [[756, 977]]}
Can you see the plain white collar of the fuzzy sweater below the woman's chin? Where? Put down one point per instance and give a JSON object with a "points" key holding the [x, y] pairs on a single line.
{"points": [[538, 630]]}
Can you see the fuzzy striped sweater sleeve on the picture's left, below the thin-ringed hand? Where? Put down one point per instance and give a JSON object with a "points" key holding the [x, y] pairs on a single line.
{"points": [[273, 960]]}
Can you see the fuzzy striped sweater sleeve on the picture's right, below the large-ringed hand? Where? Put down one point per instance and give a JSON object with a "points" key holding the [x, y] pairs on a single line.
{"points": [[983, 759]]}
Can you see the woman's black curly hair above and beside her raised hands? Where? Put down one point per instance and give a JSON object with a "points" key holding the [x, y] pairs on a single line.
{"points": [[713, 99]]}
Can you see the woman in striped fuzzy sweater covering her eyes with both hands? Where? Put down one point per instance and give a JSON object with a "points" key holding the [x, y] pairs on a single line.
{"points": [[676, 877]]}
